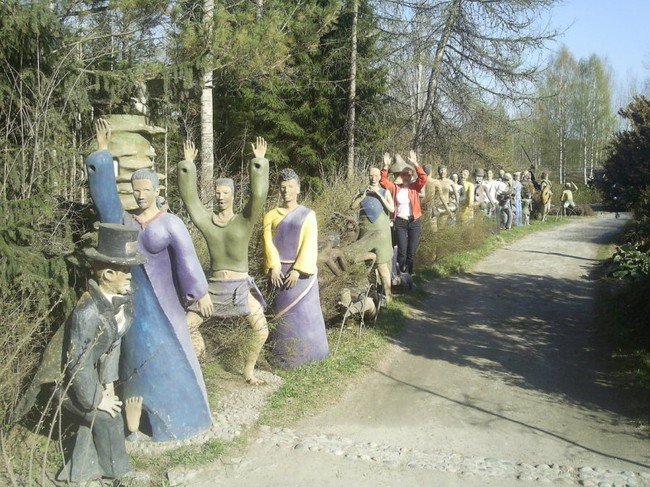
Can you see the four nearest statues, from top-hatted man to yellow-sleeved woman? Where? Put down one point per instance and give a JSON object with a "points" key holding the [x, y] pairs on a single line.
{"points": [[132, 341]]}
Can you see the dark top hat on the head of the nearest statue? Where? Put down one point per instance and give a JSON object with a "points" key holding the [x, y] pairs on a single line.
{"points": [[117, 245]]}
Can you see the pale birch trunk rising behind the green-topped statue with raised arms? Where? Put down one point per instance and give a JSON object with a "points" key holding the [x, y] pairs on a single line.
{"points": [[207, 125]]}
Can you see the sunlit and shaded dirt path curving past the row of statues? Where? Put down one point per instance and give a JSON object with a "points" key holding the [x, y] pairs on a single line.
{"points": [[497, 380]]}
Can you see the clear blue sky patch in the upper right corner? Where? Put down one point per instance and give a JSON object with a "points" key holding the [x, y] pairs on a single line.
{"points": [[618, 30]]}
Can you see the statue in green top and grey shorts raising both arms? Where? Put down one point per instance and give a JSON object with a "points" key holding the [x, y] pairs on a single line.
{"points": [[232, 291]]}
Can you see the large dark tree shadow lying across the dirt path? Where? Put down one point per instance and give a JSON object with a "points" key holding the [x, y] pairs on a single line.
{"points": [[499, 325]]}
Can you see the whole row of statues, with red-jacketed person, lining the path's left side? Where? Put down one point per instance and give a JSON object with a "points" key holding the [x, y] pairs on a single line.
{"points": [[127, 358]]}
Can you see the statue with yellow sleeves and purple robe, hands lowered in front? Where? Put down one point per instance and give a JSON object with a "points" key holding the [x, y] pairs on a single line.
{"points": [[290, 255]]}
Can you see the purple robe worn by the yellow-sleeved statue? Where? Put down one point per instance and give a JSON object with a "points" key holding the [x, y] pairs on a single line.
{"points": [[300, 328]]}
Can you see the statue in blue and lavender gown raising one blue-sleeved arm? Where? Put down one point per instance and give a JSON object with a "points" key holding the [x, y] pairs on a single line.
{"points": [[158, 359]]}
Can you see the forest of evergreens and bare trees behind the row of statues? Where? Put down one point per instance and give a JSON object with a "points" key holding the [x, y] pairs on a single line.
{"points": [[330, 84]]}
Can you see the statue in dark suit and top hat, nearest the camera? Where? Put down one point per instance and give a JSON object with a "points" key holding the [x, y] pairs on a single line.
{"points": [[82, 360]]}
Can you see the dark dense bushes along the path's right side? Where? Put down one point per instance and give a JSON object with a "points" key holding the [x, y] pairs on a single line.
{"points": [[625, 184]]}
